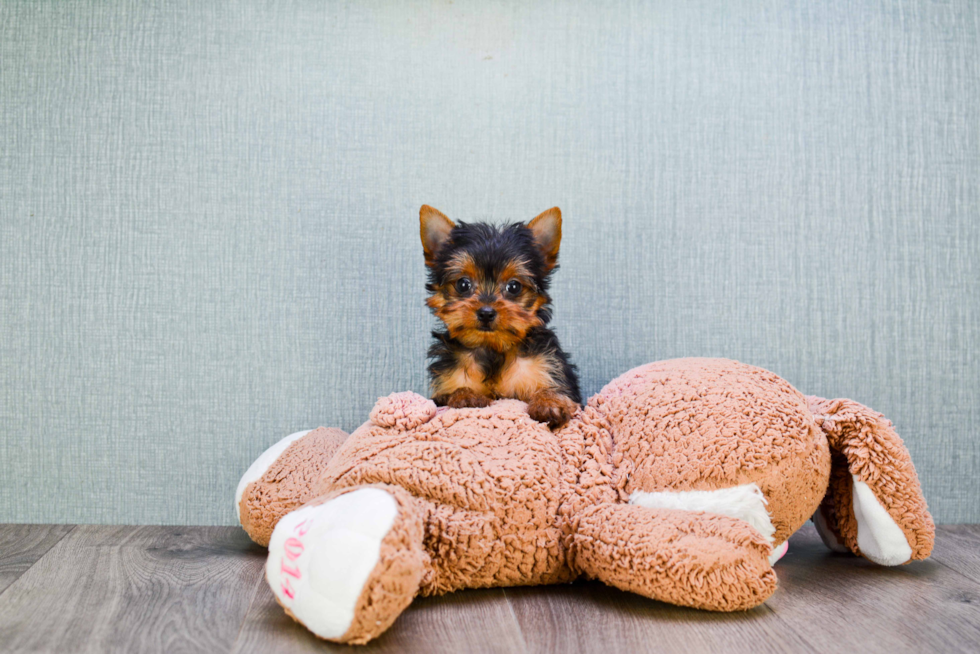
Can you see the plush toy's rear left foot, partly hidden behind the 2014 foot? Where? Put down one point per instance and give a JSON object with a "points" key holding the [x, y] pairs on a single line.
{"points": [[282, 479]]}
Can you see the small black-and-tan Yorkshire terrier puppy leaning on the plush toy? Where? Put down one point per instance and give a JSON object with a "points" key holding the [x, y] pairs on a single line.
{"points": [[489, 285]]}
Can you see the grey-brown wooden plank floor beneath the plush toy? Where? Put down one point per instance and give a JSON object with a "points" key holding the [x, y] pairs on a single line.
{"points": [[174, 589]]}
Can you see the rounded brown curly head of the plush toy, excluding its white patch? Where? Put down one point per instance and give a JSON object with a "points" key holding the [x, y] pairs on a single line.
{"points": [[705, 424]]}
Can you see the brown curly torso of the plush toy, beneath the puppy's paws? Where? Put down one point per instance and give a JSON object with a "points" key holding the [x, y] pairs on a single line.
{"points": [[486, 483]]}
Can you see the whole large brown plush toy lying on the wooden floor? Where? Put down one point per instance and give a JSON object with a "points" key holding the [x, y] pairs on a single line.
{"points": [[680, 480]]}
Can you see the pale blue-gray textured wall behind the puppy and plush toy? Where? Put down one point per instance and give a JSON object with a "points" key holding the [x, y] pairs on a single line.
{"points": [[208, 212]]}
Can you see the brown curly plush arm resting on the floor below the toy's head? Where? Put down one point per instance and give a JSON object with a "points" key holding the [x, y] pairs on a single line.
{"points": [[683, 557]]}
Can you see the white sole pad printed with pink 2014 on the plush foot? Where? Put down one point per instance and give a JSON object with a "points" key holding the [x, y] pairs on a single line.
{"points": [[321, 556]]}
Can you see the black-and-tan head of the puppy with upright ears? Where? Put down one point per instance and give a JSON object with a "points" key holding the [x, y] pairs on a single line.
{"points": [[489, 284]]}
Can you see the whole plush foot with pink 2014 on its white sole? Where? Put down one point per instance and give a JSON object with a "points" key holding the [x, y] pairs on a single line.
{"points": [[347, 565]]}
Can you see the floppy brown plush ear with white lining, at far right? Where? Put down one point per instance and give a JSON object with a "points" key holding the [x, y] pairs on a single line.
{"points": [[874, 505]]}
